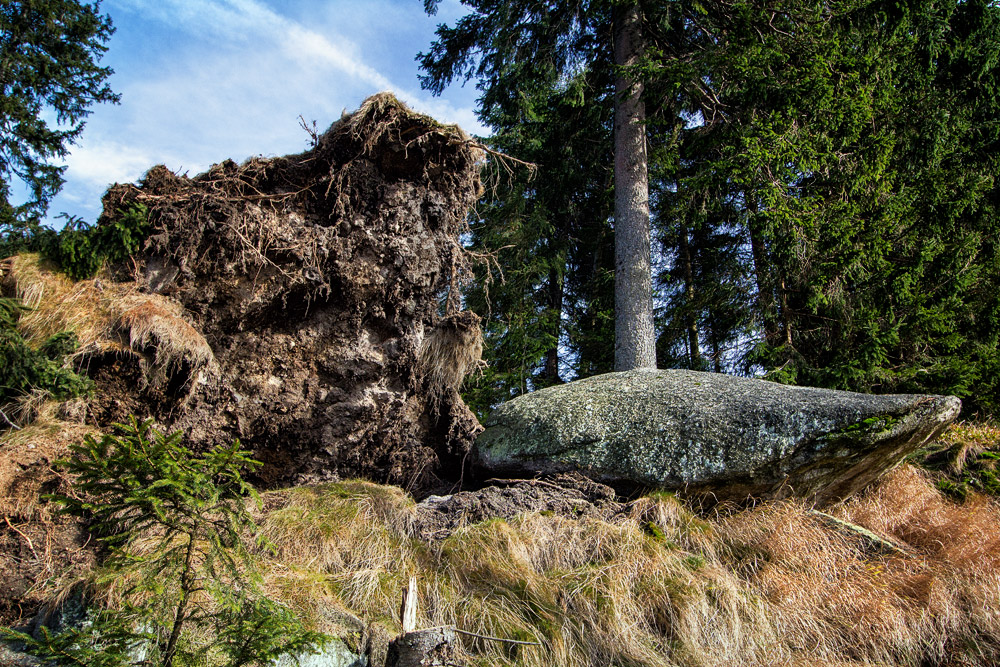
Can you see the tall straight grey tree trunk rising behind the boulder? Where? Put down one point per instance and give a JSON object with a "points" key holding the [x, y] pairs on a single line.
{"points": [[635, 339]]}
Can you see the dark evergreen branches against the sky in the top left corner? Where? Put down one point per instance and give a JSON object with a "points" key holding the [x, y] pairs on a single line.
{"points": [[49, 55]]}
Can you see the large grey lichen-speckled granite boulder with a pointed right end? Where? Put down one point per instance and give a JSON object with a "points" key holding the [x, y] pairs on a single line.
{"points": [[730, 437]]}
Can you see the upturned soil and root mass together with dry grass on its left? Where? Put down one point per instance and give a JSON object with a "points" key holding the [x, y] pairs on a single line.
{"points": [[305, 305]]}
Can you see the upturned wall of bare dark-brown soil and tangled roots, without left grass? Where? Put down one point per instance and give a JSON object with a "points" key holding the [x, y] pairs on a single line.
{"points": [[316, 282]]}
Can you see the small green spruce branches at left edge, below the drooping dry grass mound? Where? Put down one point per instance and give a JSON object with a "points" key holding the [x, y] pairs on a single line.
{"points": [[24, 369]]}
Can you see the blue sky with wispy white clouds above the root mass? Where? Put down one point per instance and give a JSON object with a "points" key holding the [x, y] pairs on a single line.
{"points": [[206, 80]]}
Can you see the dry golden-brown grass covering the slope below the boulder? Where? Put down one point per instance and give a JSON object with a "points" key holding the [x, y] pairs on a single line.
{"points": [[768, 586]]}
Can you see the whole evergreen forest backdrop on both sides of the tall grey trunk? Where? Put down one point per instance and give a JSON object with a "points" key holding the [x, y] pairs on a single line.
{"points": [[823, 180]]}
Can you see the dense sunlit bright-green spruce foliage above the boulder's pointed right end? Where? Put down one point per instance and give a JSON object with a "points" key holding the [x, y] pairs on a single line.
{"points": [[873, 191]]}
